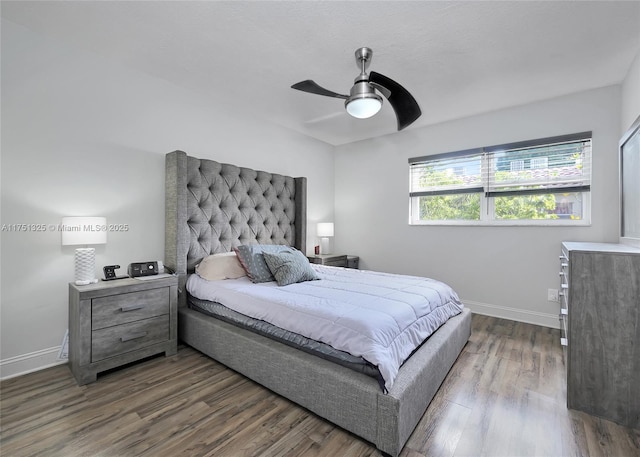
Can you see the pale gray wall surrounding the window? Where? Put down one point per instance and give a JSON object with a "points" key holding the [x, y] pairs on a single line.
{"points": [[502, 271]]}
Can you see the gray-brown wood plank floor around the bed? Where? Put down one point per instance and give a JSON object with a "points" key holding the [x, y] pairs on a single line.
{"points": [[505, 396]]}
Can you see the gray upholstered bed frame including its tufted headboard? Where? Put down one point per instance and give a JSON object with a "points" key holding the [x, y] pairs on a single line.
{"points": [[212, 207]]}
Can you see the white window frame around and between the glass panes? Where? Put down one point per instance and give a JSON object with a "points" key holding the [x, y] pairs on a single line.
{"points": [[487, 205]]}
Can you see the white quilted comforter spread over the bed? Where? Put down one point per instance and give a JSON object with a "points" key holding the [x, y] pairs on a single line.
{"points": [[379, 316]]}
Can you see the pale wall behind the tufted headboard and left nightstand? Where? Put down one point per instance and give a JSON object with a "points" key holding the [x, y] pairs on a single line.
{"points": [[84, 136]]}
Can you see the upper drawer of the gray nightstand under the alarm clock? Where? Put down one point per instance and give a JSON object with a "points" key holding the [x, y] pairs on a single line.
{"points": [[134, 306]]}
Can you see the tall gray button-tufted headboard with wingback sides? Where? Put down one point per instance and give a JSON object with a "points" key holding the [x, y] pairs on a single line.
{"points": [[212, 207]]}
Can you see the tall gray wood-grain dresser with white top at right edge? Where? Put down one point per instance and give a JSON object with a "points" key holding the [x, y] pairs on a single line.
{"points": [[600, 329]]}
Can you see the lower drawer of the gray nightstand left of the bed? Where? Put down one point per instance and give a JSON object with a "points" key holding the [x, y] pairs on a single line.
{"points": [[112, 341]]}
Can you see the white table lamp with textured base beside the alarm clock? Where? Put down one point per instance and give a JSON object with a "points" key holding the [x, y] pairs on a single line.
{"points": [[84, 231]]}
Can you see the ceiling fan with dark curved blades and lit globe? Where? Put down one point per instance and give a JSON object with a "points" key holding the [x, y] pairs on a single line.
{"points": [[363, 101]]}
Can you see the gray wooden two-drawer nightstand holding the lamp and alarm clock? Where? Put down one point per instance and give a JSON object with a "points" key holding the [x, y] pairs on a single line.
{"points": [[112, 323]]}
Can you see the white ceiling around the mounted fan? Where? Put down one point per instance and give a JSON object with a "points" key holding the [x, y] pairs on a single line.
{"points": [[456, 58]]}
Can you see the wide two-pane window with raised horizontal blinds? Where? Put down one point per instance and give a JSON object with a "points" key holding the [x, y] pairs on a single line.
{"points": [[544, 181]]}
